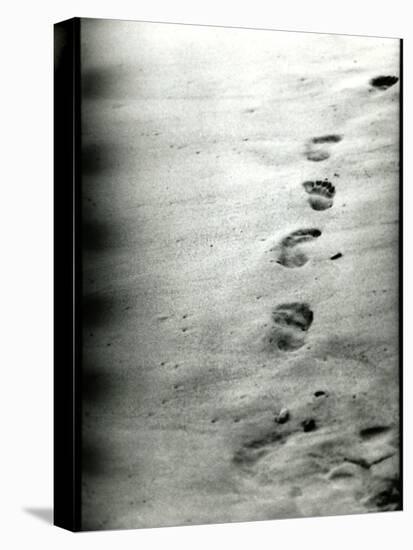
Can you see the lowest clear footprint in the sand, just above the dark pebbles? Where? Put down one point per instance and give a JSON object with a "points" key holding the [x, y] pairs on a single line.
{"points": [[291, 323]]}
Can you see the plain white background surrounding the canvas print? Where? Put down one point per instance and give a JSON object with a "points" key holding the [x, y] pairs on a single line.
{"points": [[26, 272]]}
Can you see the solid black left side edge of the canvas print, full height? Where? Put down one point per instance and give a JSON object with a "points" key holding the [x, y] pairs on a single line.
{"points": [[67, 277]]}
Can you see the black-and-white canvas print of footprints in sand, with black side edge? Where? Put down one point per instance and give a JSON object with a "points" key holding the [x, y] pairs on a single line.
{"points": [[236, 203]]}
